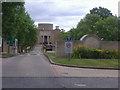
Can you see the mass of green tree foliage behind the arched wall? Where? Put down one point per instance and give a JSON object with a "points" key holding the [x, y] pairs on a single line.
{"points": [[100, 22]]}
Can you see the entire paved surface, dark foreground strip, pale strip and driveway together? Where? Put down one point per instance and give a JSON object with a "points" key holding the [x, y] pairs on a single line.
{"points": [[32, 70]]}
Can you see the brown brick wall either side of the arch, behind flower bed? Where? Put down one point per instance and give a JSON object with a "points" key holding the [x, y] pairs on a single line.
{"points": [[60, 46]]}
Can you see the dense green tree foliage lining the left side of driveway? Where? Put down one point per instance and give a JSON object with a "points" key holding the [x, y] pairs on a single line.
{"points": [[16, 23]]}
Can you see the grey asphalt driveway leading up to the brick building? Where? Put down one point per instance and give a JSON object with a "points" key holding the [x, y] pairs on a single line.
{"points": [[33, 64]]}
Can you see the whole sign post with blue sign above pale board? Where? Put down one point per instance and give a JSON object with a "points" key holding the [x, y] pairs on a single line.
{"points": [[68, 47]]}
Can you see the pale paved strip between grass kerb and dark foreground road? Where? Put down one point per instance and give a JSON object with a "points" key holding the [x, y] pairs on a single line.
{"points": [[80, 72]]}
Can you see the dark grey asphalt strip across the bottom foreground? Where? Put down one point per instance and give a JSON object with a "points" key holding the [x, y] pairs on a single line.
{"points": [[59, 82]]}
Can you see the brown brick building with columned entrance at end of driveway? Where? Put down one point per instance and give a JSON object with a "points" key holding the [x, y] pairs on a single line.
{"points": [[47, 35]]}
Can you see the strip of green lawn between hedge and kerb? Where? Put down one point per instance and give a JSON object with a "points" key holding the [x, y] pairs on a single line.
{"points": [[86, 62]]}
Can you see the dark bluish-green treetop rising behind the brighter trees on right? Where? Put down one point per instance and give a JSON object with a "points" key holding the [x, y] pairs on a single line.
{"points": [[103, 12]]}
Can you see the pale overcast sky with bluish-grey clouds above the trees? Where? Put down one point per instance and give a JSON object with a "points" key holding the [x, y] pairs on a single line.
{"points": [[65, 13]]}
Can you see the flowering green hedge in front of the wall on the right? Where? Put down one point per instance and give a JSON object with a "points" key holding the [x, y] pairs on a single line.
{"points": [[81, 51]]}
